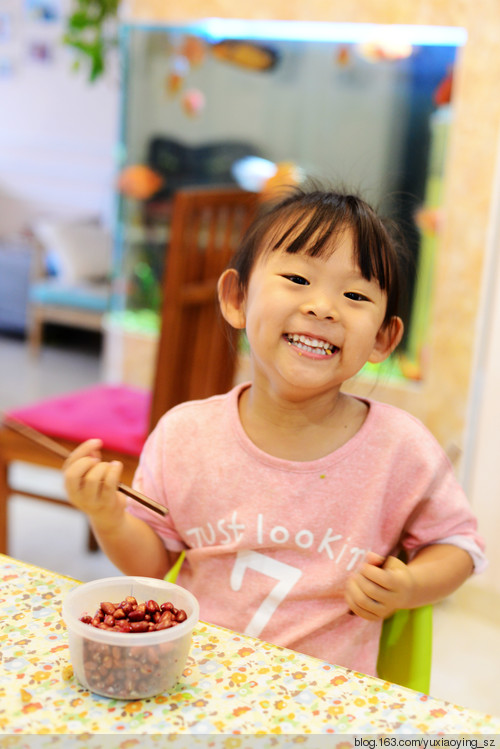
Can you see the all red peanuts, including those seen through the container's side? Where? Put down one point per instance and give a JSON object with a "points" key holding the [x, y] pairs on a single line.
{"points": [[132, 671]]}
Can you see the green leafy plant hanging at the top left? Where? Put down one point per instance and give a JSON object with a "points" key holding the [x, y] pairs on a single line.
{"points": [[92, 31]]}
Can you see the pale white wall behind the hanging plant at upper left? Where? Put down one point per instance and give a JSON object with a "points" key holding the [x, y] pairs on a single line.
{"points": [[57, 133]]}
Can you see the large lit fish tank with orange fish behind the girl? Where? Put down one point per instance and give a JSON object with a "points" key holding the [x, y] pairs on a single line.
{"points": [[361, 106]]}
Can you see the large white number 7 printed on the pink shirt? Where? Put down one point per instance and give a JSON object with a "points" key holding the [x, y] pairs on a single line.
{"points": [[285, 574]]}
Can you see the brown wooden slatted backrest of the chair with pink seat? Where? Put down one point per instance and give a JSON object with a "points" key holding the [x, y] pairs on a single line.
{"points": [[197, 352]]}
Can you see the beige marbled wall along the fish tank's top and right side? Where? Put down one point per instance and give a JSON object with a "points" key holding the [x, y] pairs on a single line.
{"points": [[442, 400]]}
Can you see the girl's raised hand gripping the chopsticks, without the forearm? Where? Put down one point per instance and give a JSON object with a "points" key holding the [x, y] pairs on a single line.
{"points": [[92, 484]]}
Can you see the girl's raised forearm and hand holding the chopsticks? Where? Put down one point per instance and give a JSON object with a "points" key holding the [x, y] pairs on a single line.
{"points": [[129, 542]]}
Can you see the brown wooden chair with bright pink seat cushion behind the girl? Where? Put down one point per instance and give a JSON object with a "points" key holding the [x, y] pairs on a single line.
{"points": [[196, 357]]}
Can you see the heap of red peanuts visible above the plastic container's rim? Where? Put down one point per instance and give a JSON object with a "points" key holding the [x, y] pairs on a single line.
{"points": [[130, 616]]}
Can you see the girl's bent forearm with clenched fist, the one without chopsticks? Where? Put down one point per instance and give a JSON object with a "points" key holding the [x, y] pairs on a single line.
{"points": [[383, 586]]}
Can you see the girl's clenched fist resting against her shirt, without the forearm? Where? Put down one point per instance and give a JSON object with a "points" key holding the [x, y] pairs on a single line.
{"points": [[379, 588]]}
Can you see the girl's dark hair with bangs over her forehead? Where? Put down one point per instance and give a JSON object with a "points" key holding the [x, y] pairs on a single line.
{"points": [[306, 220]]}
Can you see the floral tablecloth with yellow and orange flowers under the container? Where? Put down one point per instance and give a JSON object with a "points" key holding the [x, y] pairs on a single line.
{"points": [[232, 684]]}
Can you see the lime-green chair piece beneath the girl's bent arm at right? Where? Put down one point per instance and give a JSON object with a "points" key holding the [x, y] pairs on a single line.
{"points": [[405, 651]]}
